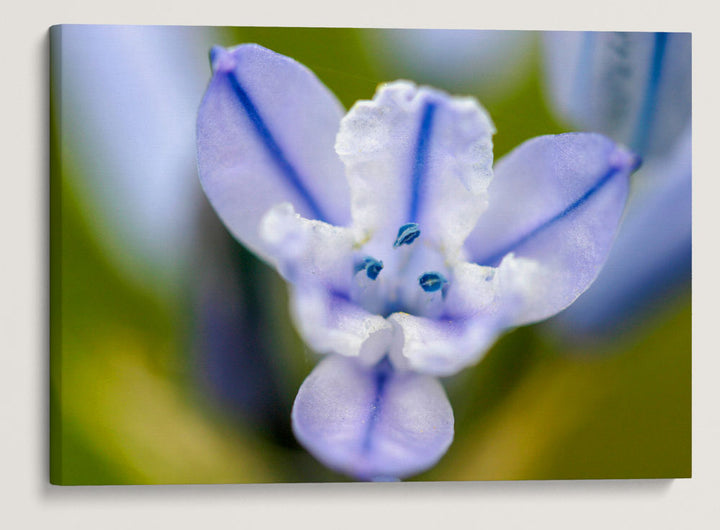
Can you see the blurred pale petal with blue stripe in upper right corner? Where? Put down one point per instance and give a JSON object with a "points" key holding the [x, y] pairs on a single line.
{"points": [[634, 87]]}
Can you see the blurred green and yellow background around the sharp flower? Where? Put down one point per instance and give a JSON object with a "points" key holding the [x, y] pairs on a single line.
{"points": [[186, 373]]}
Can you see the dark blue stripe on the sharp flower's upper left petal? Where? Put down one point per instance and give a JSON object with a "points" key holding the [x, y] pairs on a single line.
{"points": [[277, 154]]}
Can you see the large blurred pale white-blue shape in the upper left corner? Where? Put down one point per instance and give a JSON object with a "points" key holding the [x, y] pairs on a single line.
{"points": [[129, 97]]}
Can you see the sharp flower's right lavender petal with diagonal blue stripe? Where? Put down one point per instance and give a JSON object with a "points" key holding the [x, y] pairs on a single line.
{"points": [[556, 200]]}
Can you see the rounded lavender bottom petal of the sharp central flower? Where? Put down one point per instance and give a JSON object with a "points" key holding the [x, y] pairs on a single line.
{"points": [[372, 423]]}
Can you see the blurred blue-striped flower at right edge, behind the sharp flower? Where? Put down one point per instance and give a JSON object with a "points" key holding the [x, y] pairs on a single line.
{"points": [[636, 88]]}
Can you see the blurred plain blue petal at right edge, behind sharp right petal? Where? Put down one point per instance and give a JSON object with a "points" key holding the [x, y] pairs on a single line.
{"points": [[651, 257]]}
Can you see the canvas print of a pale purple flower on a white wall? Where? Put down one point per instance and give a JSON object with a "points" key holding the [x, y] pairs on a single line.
{"points": [[332, 255]]}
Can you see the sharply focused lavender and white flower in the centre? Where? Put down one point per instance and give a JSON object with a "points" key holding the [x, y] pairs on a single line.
{"points": [[406, 252]]}
